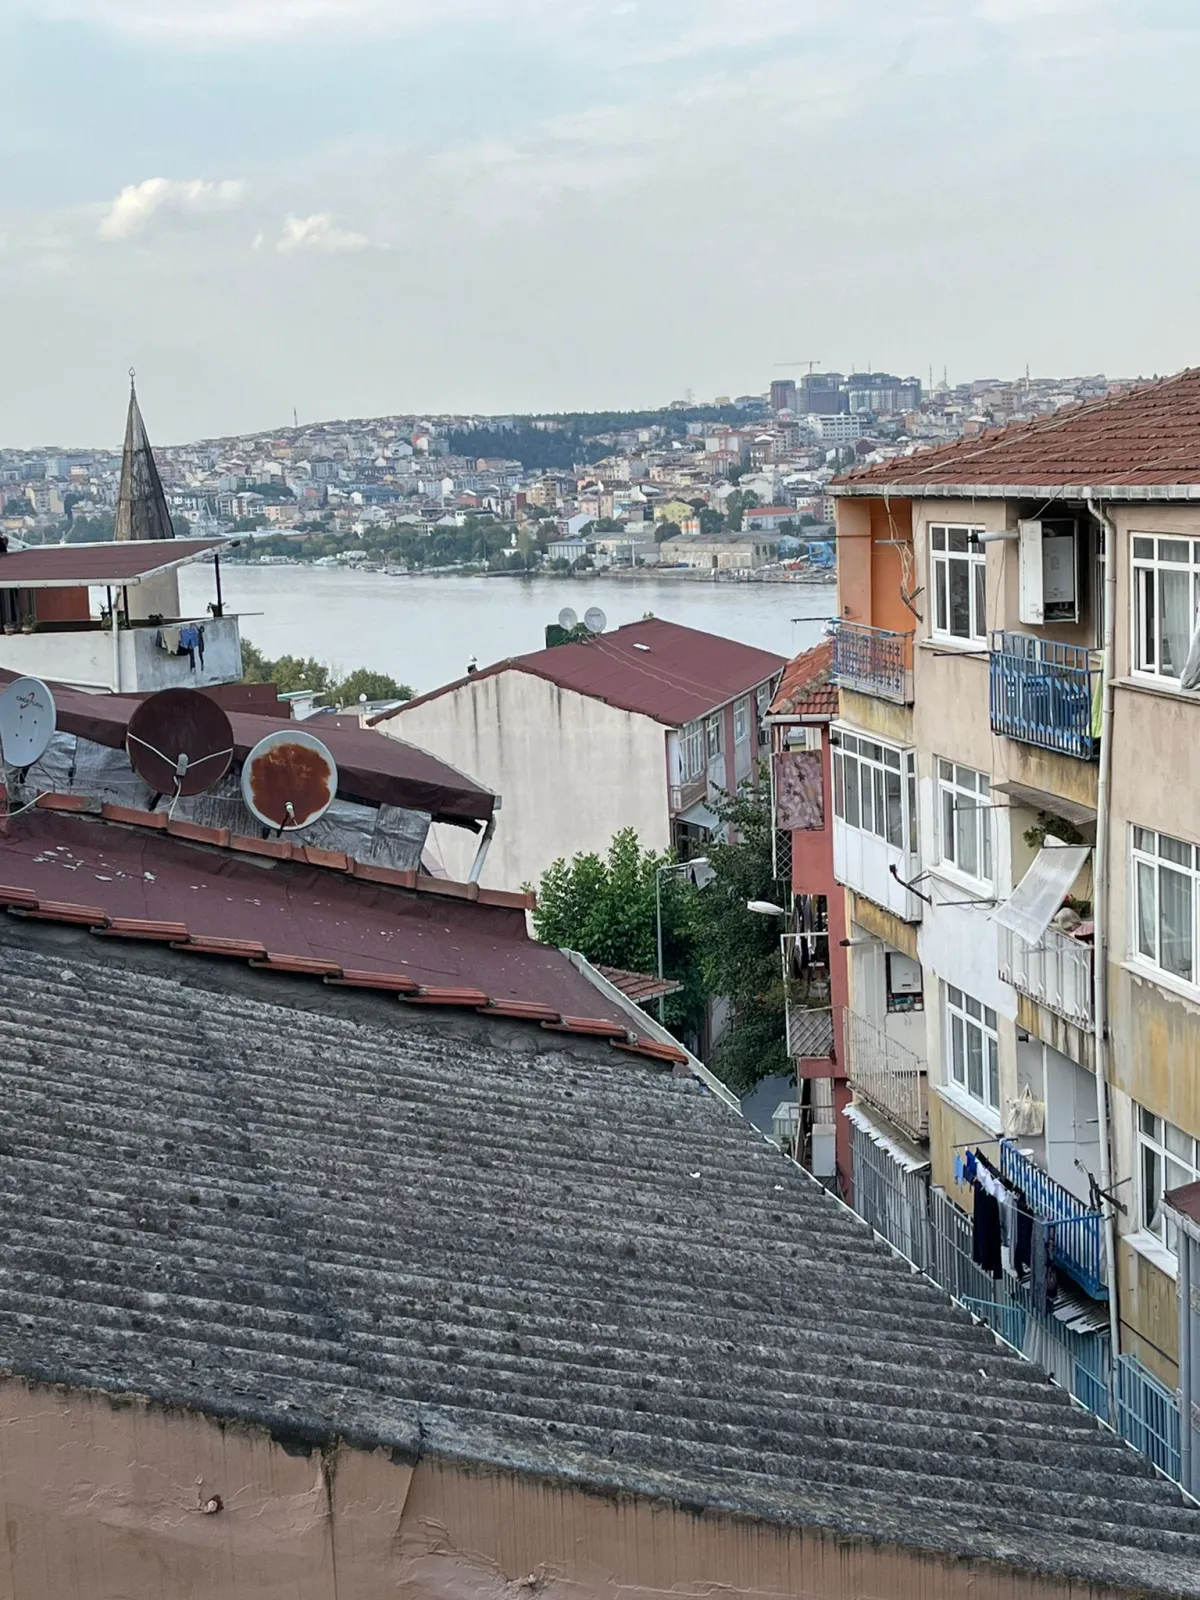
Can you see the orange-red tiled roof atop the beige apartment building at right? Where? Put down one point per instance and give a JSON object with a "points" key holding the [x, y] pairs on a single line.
{"points": [[1142, 441]]}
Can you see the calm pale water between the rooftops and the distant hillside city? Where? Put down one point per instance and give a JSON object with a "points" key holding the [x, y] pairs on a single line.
{"points": [[423, 631]]}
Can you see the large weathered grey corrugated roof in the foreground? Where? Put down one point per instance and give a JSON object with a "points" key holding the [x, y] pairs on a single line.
{"points": [[556, 1262]]}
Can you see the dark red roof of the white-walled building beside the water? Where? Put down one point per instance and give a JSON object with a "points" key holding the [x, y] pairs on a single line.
{"points": [[660, 670]]}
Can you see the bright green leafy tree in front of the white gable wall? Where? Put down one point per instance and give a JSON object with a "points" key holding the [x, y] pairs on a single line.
{"points": [[604, 908]]}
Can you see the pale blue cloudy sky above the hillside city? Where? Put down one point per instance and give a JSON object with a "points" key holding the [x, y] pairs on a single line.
{"points": [[366, 207]]}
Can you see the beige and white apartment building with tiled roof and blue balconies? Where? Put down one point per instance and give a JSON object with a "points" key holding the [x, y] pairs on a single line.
{"points": [[1015, 770]]}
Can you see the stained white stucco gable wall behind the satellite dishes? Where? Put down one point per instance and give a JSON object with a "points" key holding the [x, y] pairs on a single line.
{"points": [[570, 772]]}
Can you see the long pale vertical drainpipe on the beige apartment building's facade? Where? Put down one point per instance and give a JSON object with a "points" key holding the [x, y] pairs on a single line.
{"points": [[1100, 978]]}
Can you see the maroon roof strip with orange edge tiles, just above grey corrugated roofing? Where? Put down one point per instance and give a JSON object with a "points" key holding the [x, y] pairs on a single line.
{"points": [[436, 945]]}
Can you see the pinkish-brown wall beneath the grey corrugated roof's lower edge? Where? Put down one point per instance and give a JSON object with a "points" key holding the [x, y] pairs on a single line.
{"points": [[110, 1500]]}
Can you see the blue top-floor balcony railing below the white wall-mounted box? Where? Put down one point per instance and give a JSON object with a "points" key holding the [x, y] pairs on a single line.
{"points": [[1044, 694]]}
